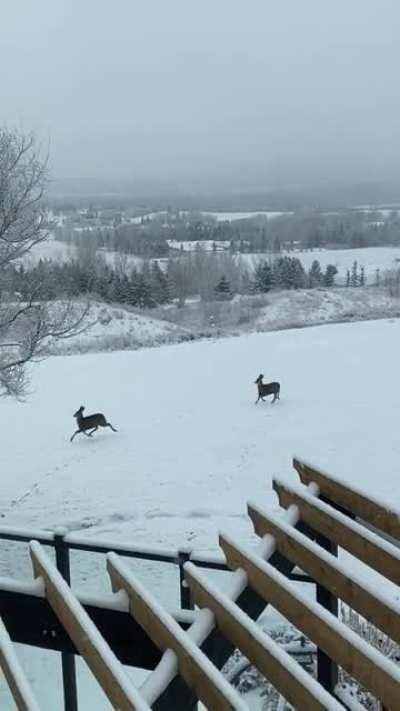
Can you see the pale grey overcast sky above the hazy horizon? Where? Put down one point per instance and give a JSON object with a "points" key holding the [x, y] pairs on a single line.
{"points": [[206, 92]]}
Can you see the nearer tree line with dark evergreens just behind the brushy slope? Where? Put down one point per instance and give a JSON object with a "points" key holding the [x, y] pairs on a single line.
{"points": [[212, 277]]}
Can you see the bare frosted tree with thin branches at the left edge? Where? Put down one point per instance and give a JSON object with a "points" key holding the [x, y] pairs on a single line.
{"points": [[25, 325]]}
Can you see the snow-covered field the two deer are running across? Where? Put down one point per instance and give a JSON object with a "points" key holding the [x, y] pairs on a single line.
{"points": [[191, 447]]}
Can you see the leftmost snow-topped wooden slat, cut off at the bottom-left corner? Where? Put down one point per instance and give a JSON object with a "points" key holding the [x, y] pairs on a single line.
{"points": [[18, 683]]}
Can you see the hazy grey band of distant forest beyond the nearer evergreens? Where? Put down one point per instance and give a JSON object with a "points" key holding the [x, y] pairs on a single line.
{"points": [[300, 230]]}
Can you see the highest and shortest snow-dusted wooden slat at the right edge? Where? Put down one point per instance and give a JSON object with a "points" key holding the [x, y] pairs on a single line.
{"points": [[379, 515]]}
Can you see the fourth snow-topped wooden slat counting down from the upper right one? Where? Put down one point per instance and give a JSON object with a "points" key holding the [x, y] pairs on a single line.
{"points": [[361, 661]]}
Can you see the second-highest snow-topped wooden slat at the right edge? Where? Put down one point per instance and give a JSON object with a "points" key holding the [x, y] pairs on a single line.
{"points": [[359, 541]]}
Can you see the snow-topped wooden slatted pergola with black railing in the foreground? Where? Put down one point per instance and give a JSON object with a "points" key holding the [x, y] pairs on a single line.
{"points": [[321, 517]]}
